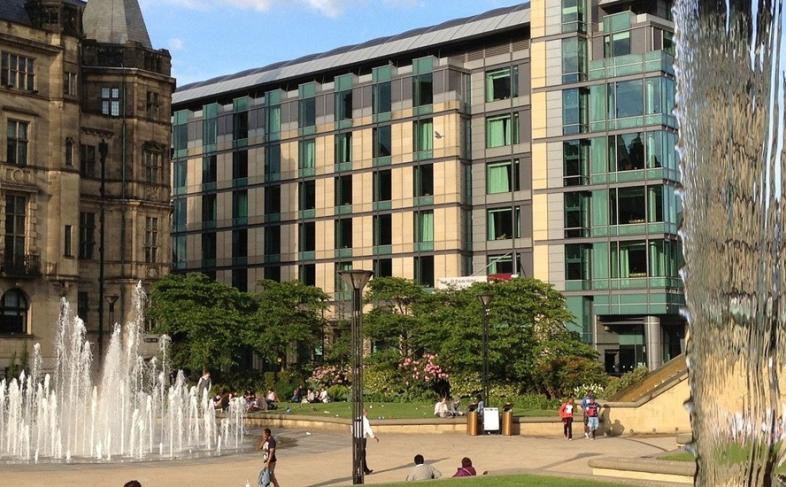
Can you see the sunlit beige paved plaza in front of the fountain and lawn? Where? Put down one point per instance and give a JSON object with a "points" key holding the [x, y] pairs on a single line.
{"points": [[323, 459]]}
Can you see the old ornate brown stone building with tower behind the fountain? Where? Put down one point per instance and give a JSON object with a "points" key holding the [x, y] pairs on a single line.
{"points": [[85, 135]]}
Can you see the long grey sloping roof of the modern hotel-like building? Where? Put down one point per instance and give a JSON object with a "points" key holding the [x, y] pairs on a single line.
{"points": [[384, 47]]}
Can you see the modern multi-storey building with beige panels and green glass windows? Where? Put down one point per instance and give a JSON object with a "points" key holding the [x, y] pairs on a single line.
{"points": [[535, 140]]}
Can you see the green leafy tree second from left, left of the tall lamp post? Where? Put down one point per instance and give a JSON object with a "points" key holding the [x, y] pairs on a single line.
{"points": [[288, 314]]}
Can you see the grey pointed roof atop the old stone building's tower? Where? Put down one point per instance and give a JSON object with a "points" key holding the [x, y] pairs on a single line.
{"points": [[115, 22]]}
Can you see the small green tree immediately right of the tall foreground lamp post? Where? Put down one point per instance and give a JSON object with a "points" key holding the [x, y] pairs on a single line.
{"points": [[391, 323]]}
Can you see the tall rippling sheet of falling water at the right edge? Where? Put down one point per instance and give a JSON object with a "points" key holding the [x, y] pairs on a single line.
{"points": [[730, 78]]}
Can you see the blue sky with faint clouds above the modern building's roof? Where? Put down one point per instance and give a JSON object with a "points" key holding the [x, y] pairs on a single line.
{"points": [[209, 38]]}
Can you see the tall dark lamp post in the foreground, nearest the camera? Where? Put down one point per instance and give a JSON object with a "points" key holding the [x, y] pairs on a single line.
{"points": [[356, 280]]}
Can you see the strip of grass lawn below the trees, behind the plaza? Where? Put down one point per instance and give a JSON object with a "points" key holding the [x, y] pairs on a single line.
{"points": [[386, 410]]}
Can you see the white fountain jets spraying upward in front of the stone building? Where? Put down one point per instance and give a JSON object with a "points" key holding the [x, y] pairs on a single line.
{"points": [[68, 416]]}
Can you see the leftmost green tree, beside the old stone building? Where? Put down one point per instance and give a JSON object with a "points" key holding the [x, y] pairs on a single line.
{"points": [[203, 317]]}
